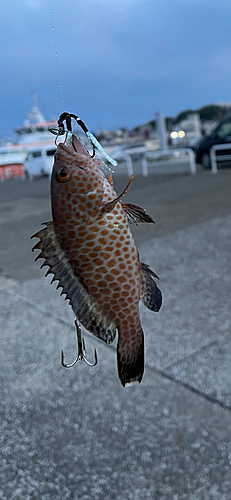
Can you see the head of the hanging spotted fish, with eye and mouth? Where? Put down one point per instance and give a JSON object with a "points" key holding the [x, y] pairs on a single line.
{"points": [[75, 176]]}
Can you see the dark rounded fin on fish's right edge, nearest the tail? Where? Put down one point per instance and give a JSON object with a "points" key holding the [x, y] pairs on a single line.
{"points": [[150, 294]]}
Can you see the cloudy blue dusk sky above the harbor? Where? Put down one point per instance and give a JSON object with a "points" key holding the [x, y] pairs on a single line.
{"points": [[120, 61]]}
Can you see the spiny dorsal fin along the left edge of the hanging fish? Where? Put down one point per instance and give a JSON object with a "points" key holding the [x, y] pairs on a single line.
{"points": [[86, 310]]}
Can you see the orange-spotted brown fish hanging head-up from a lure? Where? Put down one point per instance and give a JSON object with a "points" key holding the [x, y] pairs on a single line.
{"points": [[90, 250]]}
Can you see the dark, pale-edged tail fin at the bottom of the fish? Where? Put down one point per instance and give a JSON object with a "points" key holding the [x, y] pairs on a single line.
{"points": [[130, 357]]}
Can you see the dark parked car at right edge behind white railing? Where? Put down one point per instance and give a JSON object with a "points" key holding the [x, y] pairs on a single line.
{"points": [[220, 135]]}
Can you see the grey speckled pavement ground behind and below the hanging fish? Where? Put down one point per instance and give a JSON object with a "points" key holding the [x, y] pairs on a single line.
{"points": [[77, 433]]}
